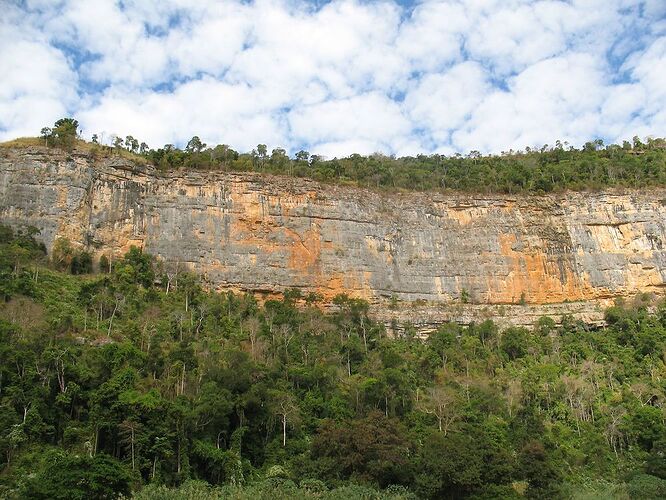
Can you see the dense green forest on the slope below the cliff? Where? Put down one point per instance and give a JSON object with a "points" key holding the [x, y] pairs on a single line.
{"points": [[123, 378]]}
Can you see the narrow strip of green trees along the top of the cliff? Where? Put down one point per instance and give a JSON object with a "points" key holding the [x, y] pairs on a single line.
{"points": [[549, 168]]}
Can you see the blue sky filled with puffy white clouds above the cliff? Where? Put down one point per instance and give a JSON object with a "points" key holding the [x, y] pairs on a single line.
{"points": [[341, 77]]}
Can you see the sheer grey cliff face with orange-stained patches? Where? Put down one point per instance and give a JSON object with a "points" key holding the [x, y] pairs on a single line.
{"points": [[422, 254]]}
